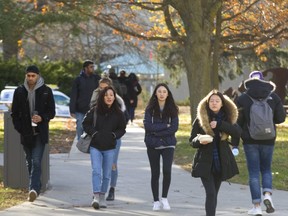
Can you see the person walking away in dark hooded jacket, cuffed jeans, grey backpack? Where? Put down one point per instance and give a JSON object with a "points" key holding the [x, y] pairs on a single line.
{"points": [[259, 152]]}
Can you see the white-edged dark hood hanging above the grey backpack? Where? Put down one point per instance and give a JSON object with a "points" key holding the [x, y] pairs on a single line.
{"points": [[257, 88]]}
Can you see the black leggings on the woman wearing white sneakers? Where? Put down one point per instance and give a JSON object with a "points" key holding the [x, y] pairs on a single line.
{"points": [[167, 160]]}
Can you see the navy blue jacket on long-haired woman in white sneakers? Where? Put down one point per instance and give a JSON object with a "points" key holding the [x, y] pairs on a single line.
{"points": [[157, 132]]}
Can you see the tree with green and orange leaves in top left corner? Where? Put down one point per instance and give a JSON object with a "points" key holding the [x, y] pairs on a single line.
{"points": [[18, 17]]}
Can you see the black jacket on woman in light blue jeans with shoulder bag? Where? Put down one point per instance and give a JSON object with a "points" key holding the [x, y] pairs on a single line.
{"points": [[109, 127]]}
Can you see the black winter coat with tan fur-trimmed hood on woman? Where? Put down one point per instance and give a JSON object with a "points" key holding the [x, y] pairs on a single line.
{"points": [[203, 158]]}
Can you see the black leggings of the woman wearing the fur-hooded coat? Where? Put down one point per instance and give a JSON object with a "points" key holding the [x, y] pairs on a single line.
{"points": [[212, 186]]}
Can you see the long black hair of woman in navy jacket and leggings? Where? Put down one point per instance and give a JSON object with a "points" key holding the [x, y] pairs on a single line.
{"points": [[170, 108]]}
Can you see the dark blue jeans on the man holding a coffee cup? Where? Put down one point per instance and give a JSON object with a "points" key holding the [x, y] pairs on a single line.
{"points": [[34, 157]]}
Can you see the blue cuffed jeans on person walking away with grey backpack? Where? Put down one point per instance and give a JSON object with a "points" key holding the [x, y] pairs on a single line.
{"points": [[259, 160]]}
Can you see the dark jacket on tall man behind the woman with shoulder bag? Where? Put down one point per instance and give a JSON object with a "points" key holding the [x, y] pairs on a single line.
{"points": [[81, 93]]}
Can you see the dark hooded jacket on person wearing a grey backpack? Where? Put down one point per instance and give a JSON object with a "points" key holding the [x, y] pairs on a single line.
{"points": [[258, 89]]}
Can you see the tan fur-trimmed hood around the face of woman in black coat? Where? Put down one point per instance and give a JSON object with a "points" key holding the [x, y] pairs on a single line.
{"points": [[202, 114]]}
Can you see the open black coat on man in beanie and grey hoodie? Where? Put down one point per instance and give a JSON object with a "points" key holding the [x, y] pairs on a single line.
{"points": [[44, 104]]}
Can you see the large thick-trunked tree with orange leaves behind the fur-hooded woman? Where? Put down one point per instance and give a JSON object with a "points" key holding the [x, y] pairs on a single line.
{"points": [[197, 31]]}
